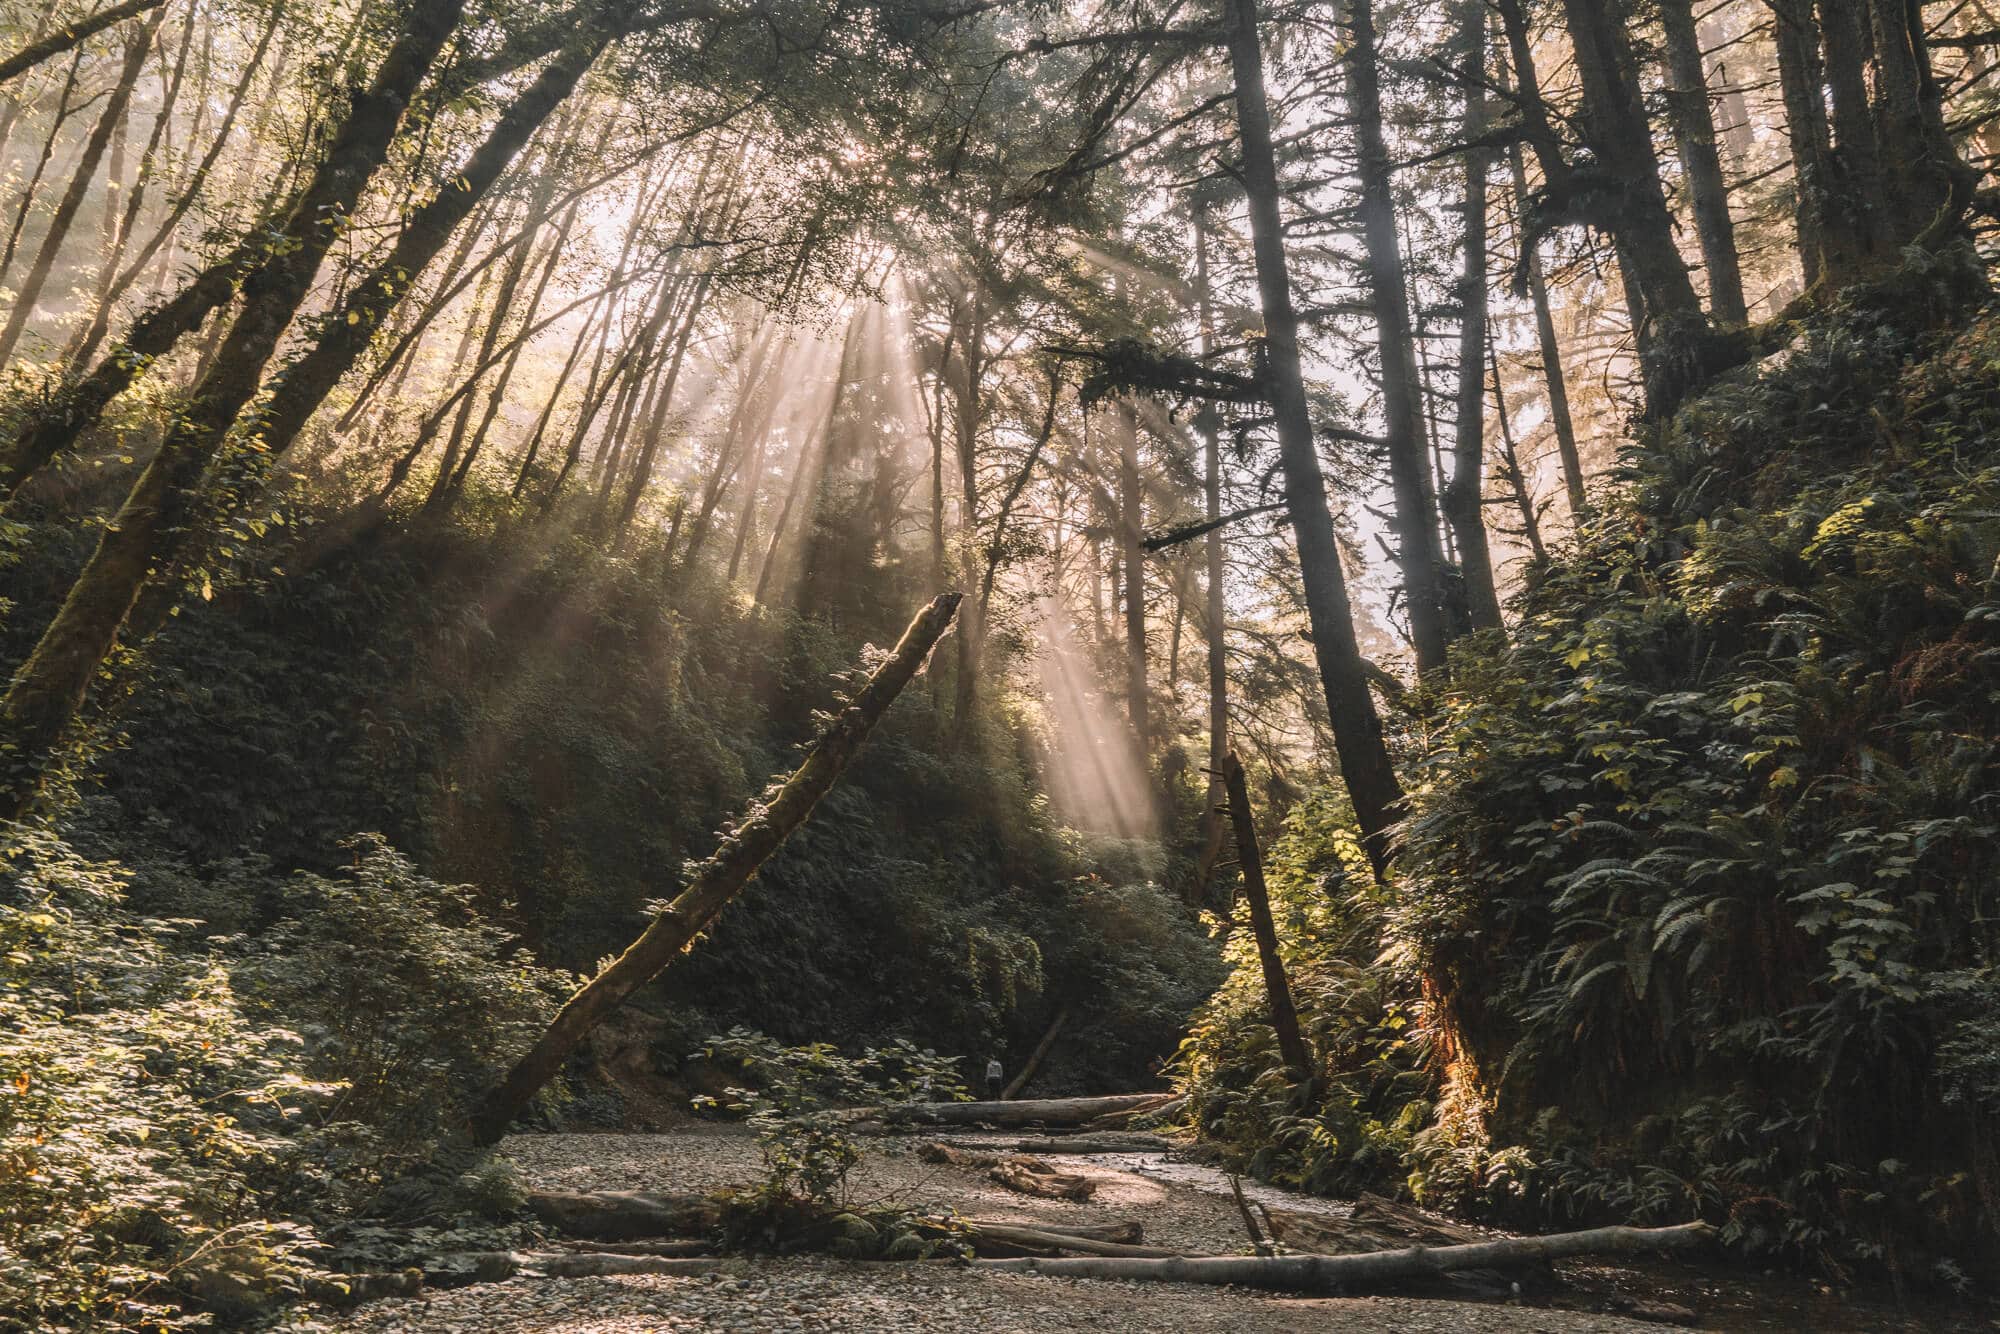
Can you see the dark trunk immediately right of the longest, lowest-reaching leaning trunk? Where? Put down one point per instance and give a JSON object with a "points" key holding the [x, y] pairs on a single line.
{"points": [[1403, 409]]}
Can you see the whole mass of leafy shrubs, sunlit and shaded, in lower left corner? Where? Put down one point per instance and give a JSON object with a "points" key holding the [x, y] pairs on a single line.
{"points": [[191, 1123]]}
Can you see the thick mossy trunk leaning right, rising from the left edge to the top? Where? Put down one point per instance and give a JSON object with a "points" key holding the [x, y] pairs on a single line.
{"points": [[155, 517]]}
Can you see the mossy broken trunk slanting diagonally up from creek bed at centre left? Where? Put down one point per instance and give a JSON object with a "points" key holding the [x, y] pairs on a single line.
{"points": [[719, 879]]}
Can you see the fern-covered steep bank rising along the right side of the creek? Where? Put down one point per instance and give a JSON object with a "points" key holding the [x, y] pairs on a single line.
{"points": [[1697, 895]]}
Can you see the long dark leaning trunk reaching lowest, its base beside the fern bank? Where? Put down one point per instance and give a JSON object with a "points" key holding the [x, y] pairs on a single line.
{"points": [[1365, 761]]}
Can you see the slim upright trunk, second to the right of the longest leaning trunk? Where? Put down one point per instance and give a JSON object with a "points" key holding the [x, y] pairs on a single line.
{"points": [[1465, 495]]}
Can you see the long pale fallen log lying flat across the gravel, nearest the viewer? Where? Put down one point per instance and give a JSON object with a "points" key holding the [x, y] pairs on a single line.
{"points": [[1375, 1269]]}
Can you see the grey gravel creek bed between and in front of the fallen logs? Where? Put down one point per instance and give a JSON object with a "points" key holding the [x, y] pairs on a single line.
{"points": [[1179, 1205]]}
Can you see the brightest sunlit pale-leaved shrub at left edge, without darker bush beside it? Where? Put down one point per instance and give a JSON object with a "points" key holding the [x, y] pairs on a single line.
{"points": [[145, 1113]]}
